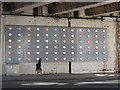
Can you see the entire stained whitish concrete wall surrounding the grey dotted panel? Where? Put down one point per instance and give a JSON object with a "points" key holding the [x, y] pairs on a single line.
{"points": [[63, 67]]}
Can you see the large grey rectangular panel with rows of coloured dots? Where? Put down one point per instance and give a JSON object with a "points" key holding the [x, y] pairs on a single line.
{"points": [[58, 44]]}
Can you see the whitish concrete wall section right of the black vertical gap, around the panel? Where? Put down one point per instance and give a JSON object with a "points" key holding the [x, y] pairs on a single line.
{"points": [[97, 67]]}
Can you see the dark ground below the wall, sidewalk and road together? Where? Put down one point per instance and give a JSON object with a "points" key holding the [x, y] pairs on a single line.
{"points": [[87, 80]]}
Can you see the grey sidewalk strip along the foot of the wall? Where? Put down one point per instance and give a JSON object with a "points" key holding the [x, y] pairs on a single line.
{"points": [[35, 77]]}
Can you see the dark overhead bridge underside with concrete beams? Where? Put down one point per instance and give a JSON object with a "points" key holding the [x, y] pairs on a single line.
{"points": [[61, 8]]}
